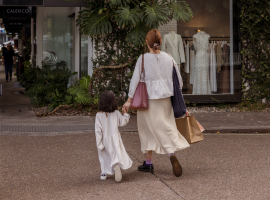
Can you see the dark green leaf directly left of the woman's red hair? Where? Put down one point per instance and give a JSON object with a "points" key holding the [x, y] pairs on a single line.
{"points": [[137, 35]]}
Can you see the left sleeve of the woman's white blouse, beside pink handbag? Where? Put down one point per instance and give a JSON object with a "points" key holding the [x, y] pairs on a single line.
{"points": [[135, 78]]}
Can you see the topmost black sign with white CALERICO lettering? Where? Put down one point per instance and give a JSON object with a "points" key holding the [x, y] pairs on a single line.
{"points": [[17, 12]]}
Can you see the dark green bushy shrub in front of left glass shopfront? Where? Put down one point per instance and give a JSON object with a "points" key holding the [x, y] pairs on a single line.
{"points": [[46, 86]]}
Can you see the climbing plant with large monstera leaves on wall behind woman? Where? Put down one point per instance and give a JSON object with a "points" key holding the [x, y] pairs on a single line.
{"points": [[118, 29]]}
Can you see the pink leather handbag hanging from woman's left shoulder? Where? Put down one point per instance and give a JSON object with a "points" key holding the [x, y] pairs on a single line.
{"points": [[140, 98]]}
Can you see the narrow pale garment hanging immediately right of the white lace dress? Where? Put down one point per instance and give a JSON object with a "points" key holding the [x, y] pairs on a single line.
{"points": [[213, 67]]}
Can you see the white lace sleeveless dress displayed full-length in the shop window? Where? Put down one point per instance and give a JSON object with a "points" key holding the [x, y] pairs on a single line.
{"points": [[201, 73]]}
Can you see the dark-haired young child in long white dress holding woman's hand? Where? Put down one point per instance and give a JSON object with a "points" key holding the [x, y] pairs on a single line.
{"points": [[111, 151]]}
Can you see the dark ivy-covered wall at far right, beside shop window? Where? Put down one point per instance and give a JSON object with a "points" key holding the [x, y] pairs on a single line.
{"points": [[256, 55]]}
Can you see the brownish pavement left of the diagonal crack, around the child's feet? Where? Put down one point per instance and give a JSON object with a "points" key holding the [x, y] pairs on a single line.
{"points": [[67, 167]]}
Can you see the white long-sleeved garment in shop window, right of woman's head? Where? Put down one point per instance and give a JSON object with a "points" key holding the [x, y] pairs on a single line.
{"points": [[172, 43]]}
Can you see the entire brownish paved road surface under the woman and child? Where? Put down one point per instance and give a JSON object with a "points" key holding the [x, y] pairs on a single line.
{"points": [[67, 167]]}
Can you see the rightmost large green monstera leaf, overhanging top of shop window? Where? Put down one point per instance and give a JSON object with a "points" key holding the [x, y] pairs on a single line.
{"points": [[181, 11]]}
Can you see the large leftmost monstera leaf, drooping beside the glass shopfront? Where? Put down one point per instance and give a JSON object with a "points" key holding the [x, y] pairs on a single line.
{"points": [[93, 23]]}
